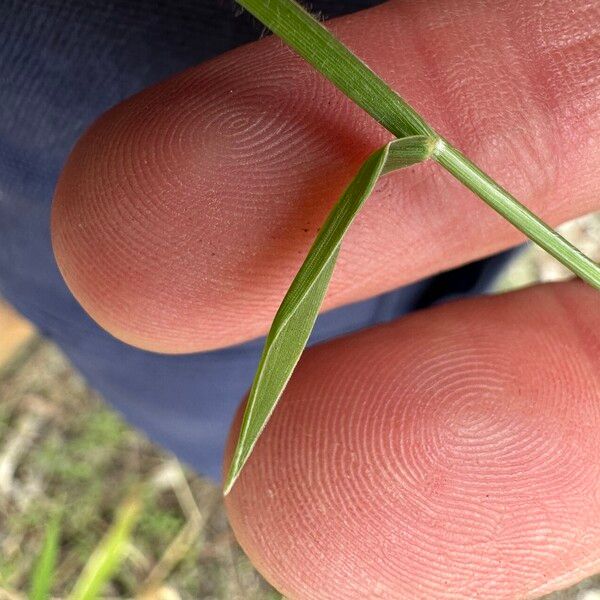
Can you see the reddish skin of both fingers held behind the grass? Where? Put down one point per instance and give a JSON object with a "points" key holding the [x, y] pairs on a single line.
{"points": [[453, 453]]}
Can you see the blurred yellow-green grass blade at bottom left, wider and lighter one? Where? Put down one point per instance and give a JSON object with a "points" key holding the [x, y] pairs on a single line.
{"points": [[108, 555]]}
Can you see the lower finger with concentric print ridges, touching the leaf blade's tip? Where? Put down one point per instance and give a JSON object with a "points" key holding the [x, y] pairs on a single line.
{"points": [[449, 453]]}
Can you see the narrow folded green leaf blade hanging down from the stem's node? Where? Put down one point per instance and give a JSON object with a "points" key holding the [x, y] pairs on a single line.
{"points": [[296, 316]]}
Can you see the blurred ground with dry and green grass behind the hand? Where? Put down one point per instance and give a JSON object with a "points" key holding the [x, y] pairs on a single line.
{"points": [[64, 455]]}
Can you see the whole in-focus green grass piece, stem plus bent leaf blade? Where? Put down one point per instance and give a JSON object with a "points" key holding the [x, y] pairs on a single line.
{"points": [[297, 313]]}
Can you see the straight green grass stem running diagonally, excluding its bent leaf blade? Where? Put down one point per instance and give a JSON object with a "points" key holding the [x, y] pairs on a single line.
{"points": [[311, 40]]}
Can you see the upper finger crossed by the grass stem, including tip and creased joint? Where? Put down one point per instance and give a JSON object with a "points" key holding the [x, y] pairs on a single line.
{"points": [[183, 214]]}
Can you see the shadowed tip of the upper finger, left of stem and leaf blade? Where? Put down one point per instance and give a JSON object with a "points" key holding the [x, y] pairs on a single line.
{"points": [[175, 210]]}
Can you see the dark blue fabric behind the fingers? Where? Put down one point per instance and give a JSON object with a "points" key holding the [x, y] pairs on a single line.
{"points": [[62, 63]]}
